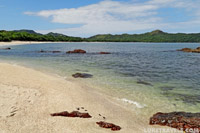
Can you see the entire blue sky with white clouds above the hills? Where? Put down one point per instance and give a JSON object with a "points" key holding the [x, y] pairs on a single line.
{"points": [[86, 18]]}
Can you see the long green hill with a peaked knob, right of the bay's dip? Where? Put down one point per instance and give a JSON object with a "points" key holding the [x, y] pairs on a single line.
{"points": [[154, 36]]}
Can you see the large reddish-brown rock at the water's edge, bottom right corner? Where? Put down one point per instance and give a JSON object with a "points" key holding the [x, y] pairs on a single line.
{"points": [[179, 120]]}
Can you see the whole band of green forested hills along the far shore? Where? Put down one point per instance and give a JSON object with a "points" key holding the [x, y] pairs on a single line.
{"points": [[154, 36]]}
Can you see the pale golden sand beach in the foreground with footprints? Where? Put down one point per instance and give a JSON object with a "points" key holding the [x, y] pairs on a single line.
{"points": [[28, 97]]}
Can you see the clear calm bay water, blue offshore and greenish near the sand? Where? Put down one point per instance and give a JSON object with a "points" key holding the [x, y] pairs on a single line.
{"points": [[171, 77]]}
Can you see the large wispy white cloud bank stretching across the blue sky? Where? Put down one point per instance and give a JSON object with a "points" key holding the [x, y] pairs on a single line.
{"points": [[113, 17]]}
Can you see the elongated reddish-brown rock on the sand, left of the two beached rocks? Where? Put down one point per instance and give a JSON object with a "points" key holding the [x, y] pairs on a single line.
{"points": [[72, 114]]}
